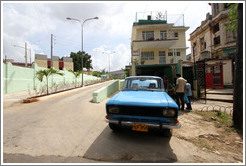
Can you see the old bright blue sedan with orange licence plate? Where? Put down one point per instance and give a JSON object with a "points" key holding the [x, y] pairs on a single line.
{"points": [[142, 105]]}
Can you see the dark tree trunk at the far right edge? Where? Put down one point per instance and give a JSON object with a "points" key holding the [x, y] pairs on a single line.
{"points": [[238, 73]]}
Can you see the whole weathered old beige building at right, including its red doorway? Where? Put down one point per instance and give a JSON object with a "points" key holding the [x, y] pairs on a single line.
{"points": [[212, 43]]}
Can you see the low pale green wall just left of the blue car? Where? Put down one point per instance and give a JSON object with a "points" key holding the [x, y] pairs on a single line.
{"points": [[107, 91]]}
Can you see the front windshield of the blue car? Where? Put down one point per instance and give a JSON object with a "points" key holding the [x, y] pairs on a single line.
{"points": [[143, 83]]}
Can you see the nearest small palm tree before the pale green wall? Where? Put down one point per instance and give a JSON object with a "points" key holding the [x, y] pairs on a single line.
{"points": [[46, 73]]}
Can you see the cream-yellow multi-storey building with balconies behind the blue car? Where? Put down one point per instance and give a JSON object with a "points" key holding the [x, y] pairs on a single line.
{"points": [[155, 41]]}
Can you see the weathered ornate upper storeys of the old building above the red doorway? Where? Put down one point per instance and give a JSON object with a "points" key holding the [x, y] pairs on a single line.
{"points": [[211, 40]]}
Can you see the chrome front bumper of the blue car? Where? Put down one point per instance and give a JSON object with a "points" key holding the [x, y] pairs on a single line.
{"points": [[152, 125]]}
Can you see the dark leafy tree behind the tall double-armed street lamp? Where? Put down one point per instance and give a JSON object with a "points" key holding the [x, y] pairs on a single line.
{"points": [[87, 62]]}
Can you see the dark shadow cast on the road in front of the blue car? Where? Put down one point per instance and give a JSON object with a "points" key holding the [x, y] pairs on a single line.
{"points": [[129, 146]]}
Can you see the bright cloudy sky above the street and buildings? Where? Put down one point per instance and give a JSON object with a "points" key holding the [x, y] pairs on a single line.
{"points": [[34, 22]]}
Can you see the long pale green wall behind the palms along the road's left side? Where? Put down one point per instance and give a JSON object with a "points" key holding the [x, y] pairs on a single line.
{"points": [[16, 79]]}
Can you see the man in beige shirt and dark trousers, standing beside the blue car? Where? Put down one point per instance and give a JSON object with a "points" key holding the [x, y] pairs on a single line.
{"points": [[179, 90]]}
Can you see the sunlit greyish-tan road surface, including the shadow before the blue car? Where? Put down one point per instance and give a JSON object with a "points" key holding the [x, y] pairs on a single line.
{"points": [[71, 129]]}
